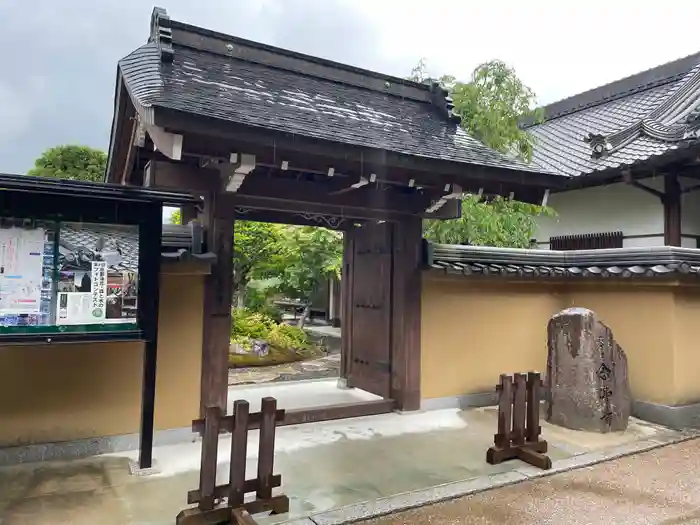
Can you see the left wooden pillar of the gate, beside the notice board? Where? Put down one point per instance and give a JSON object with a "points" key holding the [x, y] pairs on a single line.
{"points": [[218, 292]]}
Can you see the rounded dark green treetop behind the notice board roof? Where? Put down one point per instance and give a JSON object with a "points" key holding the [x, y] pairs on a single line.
{"points": [[71, 162]]}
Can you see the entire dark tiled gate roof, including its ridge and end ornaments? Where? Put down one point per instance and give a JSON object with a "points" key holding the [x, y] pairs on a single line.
{"points": [[222, 77]]}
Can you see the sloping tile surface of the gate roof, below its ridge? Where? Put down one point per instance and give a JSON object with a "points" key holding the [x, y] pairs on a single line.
{"points": [[249, 93]]}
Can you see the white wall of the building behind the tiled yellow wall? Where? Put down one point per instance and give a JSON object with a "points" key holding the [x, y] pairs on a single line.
{"points": [[619, 207]]}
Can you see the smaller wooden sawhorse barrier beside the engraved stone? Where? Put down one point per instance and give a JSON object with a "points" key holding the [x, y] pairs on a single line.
{"points": [[519, 422]]}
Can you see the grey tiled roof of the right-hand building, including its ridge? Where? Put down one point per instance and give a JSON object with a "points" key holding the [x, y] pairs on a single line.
{"points": [[623, 123]]}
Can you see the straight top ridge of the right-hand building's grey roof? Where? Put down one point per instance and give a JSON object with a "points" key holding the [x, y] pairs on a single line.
{"points": [[637, 83]]}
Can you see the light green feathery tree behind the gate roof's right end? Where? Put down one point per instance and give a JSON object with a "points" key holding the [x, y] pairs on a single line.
{"points": [[491, 105]]}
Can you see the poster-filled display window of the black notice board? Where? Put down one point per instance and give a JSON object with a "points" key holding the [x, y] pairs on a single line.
{"points": [[62, 276]]}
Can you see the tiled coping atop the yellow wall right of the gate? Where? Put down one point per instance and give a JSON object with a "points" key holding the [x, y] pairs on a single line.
{"points": [[658, 261]]}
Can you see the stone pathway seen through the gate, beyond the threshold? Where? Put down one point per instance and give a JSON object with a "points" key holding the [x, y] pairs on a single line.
{"points": [[324, 367]]}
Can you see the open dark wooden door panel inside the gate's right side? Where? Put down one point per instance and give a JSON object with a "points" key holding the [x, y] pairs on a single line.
{"points": [[369, 359]]}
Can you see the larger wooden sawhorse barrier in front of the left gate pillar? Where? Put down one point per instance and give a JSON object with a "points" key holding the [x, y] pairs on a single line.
{"points": [[209, 495]]}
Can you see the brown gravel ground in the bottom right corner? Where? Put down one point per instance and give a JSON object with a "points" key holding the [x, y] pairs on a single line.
{"points": [[660, 487]]}
